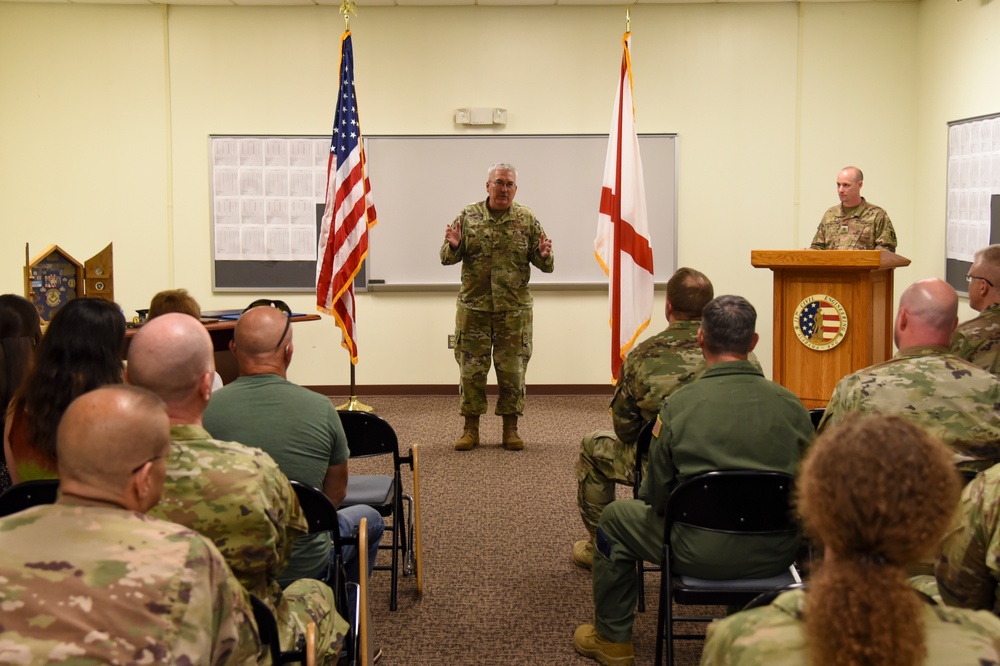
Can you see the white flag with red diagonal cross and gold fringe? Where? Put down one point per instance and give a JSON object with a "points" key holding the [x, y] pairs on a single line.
{"points": [[622, 245]]}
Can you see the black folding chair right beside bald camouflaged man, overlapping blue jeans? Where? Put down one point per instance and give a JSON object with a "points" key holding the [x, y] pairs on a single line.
{"points": [[321, 515]]}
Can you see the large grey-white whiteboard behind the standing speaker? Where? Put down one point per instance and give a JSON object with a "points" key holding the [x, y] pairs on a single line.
{"points": [[421, 183]]}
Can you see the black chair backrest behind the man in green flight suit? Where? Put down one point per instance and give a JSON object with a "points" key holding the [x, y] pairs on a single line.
{"points": [[737, 501]]}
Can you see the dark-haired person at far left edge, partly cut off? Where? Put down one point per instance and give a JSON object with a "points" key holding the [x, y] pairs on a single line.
{"points": [[20, 331]]}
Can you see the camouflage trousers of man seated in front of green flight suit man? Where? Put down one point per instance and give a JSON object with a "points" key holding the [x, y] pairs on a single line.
{"points": [[603, 462]]}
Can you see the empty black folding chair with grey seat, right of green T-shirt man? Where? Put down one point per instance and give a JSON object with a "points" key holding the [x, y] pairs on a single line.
{"points": [[369, 435]]}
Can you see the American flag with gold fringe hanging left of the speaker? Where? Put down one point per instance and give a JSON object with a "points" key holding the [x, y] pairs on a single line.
{"points": [[349, 212]]}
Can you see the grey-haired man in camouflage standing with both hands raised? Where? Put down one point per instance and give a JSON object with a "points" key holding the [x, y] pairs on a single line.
{"points": [[497, 241]]}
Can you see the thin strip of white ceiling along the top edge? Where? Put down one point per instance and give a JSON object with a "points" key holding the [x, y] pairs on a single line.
{"points": [[409, 3]]}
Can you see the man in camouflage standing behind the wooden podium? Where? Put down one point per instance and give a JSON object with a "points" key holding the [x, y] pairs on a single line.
{"points": [[855, 224]]}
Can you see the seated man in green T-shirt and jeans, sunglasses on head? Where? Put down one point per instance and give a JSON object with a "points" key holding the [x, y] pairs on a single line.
{"points": [[299, 428]]}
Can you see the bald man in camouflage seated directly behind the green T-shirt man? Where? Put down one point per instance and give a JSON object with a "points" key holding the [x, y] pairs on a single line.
{"points": [[231, 493]]}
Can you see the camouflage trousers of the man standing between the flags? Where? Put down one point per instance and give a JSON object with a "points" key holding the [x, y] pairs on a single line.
{"points": [[506, 336]]}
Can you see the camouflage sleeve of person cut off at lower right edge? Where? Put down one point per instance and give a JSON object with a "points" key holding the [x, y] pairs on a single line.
{"points": [[967, 569]]}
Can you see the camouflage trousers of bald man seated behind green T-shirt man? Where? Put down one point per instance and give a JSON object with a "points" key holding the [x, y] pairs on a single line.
{"points": [[307, 601]]}
